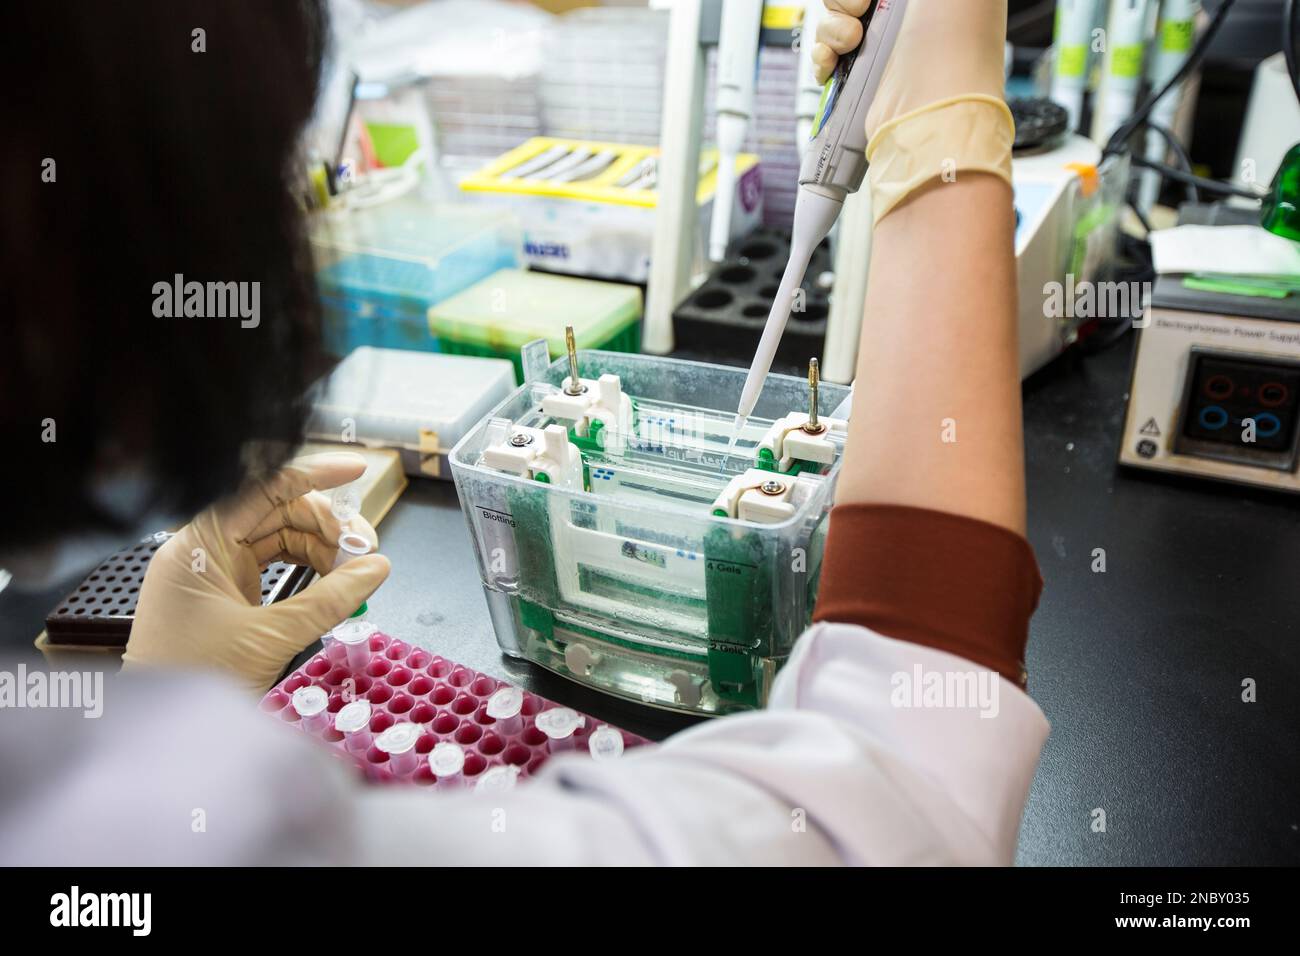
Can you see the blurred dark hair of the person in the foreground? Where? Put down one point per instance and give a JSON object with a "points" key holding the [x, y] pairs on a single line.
{"points": [[166, 161]]}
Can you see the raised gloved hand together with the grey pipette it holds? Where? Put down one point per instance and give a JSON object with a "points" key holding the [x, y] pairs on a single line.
{"points": [[896, 114]]}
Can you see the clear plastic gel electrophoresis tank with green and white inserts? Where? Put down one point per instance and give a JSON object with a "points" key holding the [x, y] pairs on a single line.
{"points": [[621, 544]]}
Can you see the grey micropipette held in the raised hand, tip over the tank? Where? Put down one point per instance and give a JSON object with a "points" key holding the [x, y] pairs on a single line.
{"points": [[834, 167]]}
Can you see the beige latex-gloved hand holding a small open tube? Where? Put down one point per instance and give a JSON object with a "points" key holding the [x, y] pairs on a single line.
{"points": [[201, 604]]}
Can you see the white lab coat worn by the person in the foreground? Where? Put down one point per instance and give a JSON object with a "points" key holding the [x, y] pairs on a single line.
{"points": [[181, 772]]}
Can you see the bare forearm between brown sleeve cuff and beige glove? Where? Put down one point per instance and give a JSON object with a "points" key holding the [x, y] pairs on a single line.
{"points": [[937, 410]]}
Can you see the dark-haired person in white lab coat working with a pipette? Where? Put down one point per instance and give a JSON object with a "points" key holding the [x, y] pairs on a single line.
{"points": [[140, 157]]}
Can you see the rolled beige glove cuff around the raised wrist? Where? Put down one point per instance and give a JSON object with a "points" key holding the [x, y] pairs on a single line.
{"points": [[964, 135]]}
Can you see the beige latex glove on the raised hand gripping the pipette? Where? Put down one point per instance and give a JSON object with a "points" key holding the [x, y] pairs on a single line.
{"points": [[941, 109]]}
